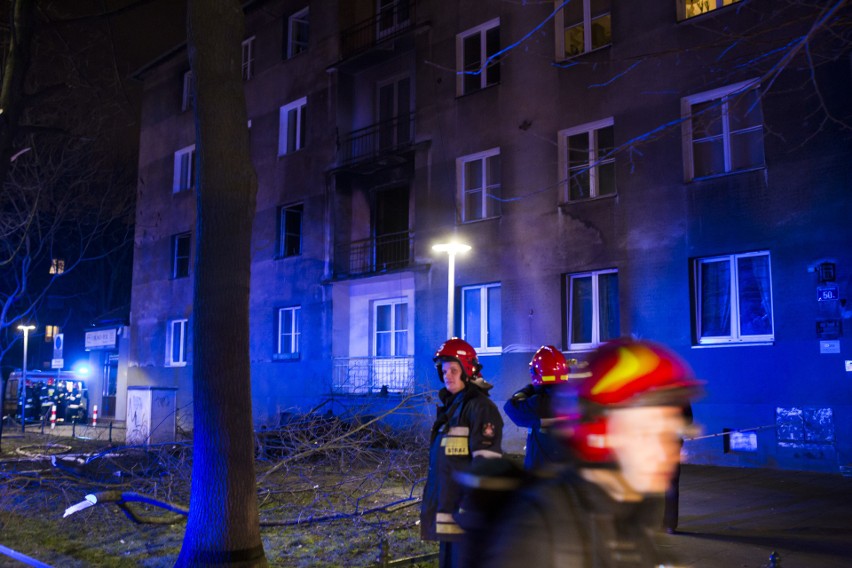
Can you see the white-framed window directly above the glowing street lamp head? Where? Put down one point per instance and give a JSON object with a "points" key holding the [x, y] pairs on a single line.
{"points": [[478, 178]]}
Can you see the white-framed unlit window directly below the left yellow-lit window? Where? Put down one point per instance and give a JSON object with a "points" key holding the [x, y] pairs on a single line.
{"points": [[586, 160]]}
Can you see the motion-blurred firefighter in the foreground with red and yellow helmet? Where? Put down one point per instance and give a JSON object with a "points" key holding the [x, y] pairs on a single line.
{"points": [[627, 447]]}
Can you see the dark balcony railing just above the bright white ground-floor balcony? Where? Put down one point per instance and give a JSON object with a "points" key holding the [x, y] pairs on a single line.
{"points": [[379, 254]]}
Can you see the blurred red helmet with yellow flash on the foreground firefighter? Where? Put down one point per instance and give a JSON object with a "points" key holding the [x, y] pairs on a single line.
{"points": [[625, 373]]}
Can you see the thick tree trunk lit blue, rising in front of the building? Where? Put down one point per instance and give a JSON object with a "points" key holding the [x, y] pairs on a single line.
{"points": [[223, 527]]}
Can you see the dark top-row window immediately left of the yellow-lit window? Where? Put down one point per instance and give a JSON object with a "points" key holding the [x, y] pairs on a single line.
{"points": [[475, 50]]}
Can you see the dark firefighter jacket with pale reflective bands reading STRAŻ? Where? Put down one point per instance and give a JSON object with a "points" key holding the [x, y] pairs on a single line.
{"points": [[468, 426]]}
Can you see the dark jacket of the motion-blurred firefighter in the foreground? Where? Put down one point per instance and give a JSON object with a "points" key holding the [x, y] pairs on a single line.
{"points": [[568, 521]]}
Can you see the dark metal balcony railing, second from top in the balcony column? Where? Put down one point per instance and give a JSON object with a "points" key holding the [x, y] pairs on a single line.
{"points": [[379, 139]]}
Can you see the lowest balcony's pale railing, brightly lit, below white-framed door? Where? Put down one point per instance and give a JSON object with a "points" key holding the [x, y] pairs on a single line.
{"points": [[373, 375]]}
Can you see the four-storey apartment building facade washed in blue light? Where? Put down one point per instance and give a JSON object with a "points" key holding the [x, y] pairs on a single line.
{"points": [[675, 170]]}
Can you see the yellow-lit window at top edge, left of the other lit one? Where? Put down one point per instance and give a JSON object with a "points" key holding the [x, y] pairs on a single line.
{"points": [[586, 25]]}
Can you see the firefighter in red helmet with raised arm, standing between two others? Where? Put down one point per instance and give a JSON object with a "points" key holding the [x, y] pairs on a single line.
{"points": [[532, 408]]}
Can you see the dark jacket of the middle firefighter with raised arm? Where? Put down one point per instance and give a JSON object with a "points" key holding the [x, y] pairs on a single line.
{"points": [[530, 408]]}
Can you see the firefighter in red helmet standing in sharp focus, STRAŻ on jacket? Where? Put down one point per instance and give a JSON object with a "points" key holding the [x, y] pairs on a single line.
{"points": [[468, 428]]}
